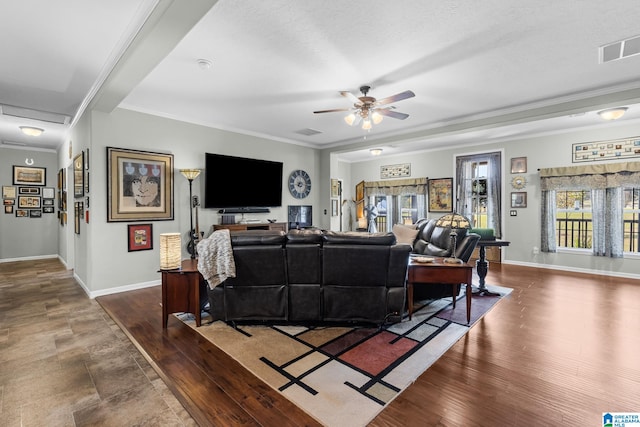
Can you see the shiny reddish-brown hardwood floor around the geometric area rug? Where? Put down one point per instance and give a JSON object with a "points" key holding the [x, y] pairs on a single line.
{"points": [[560, 350]]}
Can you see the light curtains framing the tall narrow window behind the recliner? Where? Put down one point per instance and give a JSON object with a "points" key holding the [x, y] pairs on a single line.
{"points": [[494, 191]]}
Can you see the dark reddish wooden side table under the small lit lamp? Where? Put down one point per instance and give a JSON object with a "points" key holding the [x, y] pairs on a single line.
{"points": [[181, 291]]}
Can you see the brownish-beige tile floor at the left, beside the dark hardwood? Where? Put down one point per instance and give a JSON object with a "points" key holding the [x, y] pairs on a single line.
{"points": [[64, 362]]}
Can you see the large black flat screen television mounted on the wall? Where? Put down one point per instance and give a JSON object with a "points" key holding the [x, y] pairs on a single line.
{"points": [[240, 182]]}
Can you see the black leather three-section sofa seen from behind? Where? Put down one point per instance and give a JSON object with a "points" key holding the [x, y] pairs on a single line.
{"points": [[313, 276]]}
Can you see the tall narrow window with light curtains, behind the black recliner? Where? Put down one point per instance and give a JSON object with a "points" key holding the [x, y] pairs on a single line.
{"points": [[478, 194]]}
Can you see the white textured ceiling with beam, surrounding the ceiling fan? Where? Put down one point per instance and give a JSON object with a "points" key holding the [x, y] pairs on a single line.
{"points": [[481, 71]]}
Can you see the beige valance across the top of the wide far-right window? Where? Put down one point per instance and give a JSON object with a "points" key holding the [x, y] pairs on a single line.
{"points": [[600, 176]]}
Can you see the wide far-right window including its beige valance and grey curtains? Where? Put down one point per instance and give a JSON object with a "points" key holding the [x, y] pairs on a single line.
{"points": [[591, 206]]}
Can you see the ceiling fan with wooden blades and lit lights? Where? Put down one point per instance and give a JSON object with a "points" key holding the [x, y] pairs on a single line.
{"points": [[370, 110]]}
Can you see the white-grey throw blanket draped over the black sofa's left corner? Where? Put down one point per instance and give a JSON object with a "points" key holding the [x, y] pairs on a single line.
{"points": [[215, 258]]}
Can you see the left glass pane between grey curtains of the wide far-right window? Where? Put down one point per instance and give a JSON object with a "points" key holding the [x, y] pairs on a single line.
{"points": [[574, 219]]}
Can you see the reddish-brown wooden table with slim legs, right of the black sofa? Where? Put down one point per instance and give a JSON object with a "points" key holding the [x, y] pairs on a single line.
{"points": [[439, 271]]}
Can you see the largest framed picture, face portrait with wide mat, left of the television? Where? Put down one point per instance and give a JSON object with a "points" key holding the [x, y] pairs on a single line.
{"points": [[139, 185]]}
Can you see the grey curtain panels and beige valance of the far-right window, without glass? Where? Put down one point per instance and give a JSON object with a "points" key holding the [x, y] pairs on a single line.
{"points": [[606, 182]]}
